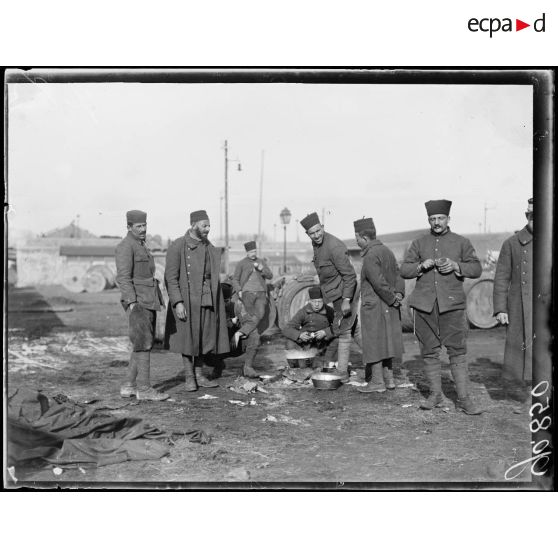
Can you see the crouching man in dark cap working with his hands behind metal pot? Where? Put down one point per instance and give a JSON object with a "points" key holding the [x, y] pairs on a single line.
{"points": [[311, 327]]}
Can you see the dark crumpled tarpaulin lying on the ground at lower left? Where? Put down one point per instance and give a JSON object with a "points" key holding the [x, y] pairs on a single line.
{"points": [[64, 432]]}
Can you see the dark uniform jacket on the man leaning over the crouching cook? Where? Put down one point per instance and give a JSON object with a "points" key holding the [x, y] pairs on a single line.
{"points": [[335, 271]]}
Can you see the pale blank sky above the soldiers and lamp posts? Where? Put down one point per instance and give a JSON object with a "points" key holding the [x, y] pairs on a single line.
{"points": [[356, 150]]}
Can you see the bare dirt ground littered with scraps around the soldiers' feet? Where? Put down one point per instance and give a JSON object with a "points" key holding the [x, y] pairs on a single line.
{"points": [[290, 432]]}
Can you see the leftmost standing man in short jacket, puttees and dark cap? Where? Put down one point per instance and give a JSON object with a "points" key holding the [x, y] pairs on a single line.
{"points": [[141, 298]]}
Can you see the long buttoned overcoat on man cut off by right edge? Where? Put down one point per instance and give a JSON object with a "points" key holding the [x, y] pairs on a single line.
{"points": [[513, 294]]}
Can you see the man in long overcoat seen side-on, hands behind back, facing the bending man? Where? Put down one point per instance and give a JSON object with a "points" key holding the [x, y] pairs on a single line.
{"points": [[381, 296]]}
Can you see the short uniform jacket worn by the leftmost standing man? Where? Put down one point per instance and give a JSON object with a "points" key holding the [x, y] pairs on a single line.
{"points": [[135, 270]]}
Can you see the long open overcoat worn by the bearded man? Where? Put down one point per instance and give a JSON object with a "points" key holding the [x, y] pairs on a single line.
{"points": [[184, 276]]}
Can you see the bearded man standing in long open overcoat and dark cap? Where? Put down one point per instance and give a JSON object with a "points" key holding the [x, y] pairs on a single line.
{"points": [[196, 318]]}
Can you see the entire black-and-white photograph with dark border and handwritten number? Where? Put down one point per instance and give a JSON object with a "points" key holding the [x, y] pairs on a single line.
{"points": [[296, 278]]}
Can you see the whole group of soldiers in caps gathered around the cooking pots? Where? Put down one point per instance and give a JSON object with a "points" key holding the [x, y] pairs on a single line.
{"points": [[200, 327]]}
